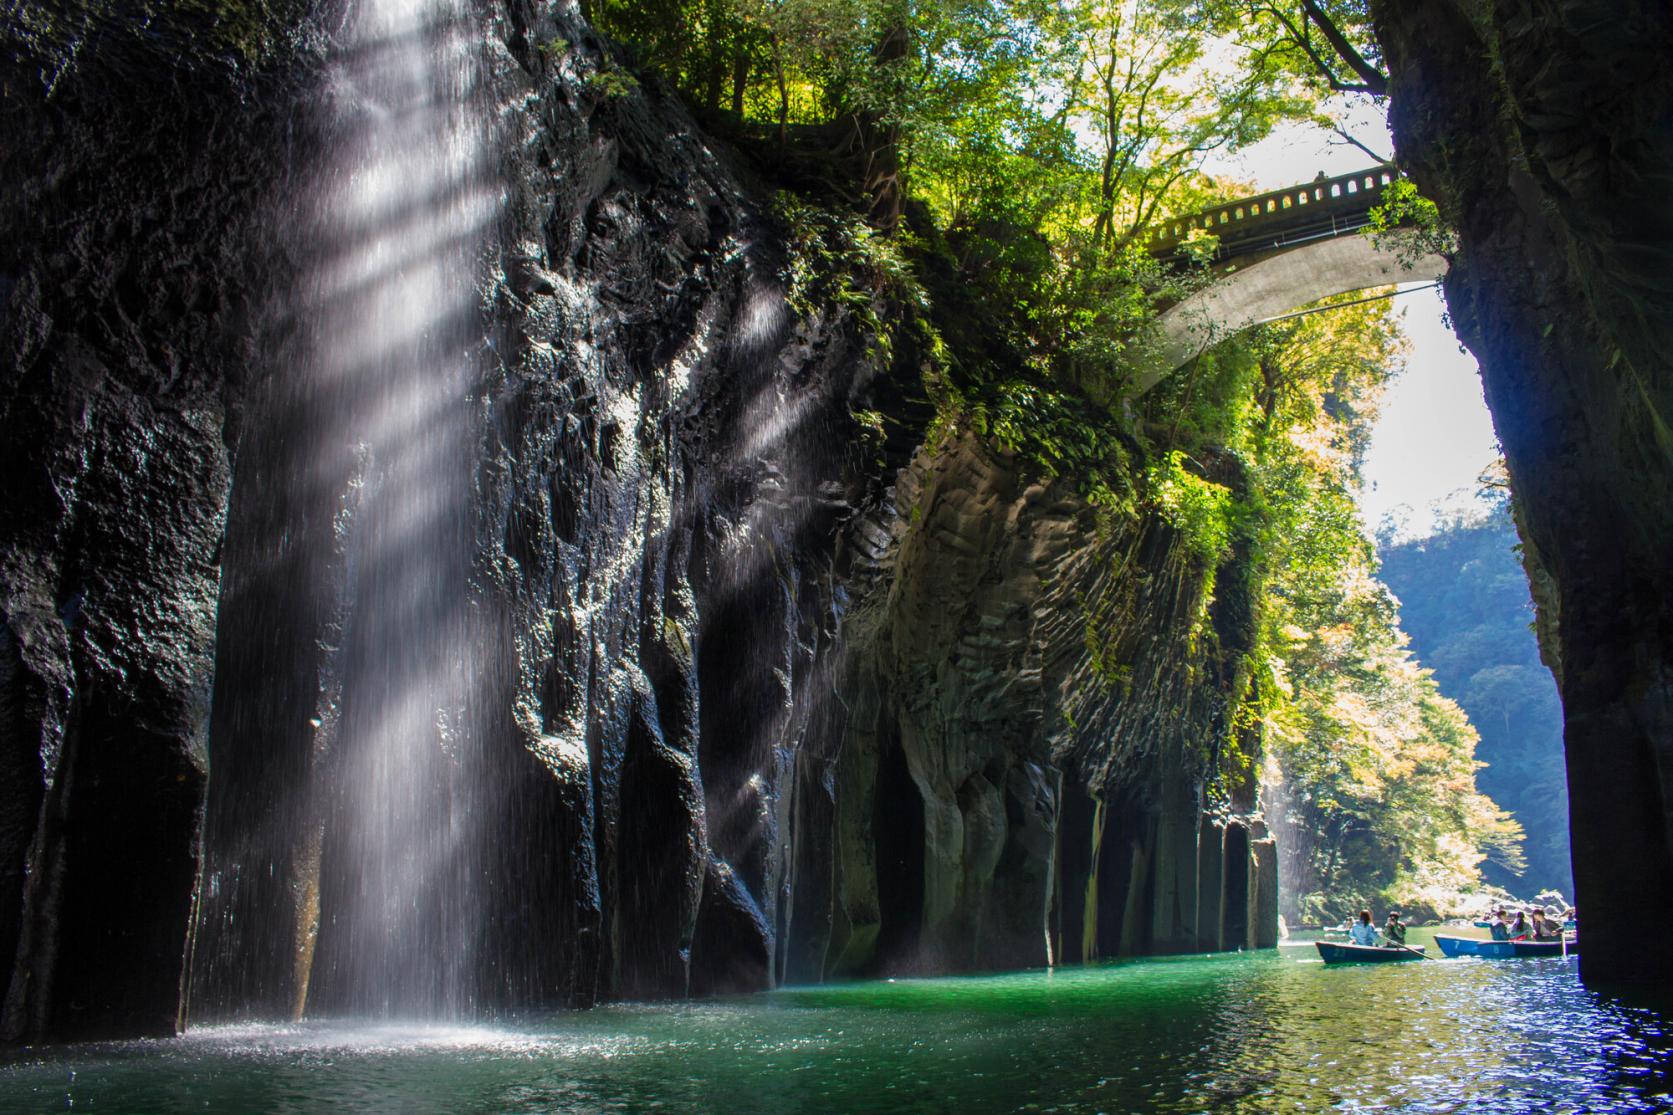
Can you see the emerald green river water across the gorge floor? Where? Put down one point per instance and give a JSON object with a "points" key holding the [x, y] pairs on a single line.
{"points": [[1262, 1032]]}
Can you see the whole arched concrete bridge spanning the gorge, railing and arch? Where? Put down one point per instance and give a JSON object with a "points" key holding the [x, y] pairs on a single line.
{"points": [[1279, 252]]}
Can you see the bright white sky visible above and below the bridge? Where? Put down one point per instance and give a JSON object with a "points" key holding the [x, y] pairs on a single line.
{"points": [[1435, 436]]}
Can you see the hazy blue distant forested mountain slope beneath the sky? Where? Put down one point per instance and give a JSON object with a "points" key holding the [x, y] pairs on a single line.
{"points": [[1466, 607]]}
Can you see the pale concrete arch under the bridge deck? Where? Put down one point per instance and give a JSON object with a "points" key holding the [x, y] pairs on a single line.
{"points": [[1279, 284]]}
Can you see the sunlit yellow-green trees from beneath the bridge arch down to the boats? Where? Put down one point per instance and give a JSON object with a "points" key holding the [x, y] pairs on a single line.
{"points": [[1373, 771]]}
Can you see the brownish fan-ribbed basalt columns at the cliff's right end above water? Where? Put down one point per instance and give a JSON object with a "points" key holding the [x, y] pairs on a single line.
{"points": [[1026, 764]]}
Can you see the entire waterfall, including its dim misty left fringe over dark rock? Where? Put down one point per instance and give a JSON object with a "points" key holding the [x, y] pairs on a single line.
{"points": [[377, 856]]}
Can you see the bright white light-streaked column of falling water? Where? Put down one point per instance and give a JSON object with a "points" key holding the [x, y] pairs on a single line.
{"points": [[399, 215]]}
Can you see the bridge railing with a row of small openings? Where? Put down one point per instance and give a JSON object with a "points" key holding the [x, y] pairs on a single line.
{"points": [[1326, 207]]}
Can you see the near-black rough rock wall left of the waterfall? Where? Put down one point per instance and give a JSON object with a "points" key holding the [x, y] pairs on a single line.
{"points": [[126, 275]]}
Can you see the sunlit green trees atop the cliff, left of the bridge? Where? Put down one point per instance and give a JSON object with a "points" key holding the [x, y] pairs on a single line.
{"points": [[1043, 136]]}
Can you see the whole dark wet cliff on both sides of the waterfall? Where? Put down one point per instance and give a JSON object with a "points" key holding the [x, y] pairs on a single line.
{"points": [[757, 697]]}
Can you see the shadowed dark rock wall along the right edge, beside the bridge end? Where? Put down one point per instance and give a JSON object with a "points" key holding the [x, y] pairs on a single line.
{"points": [[1547, 135]]}
